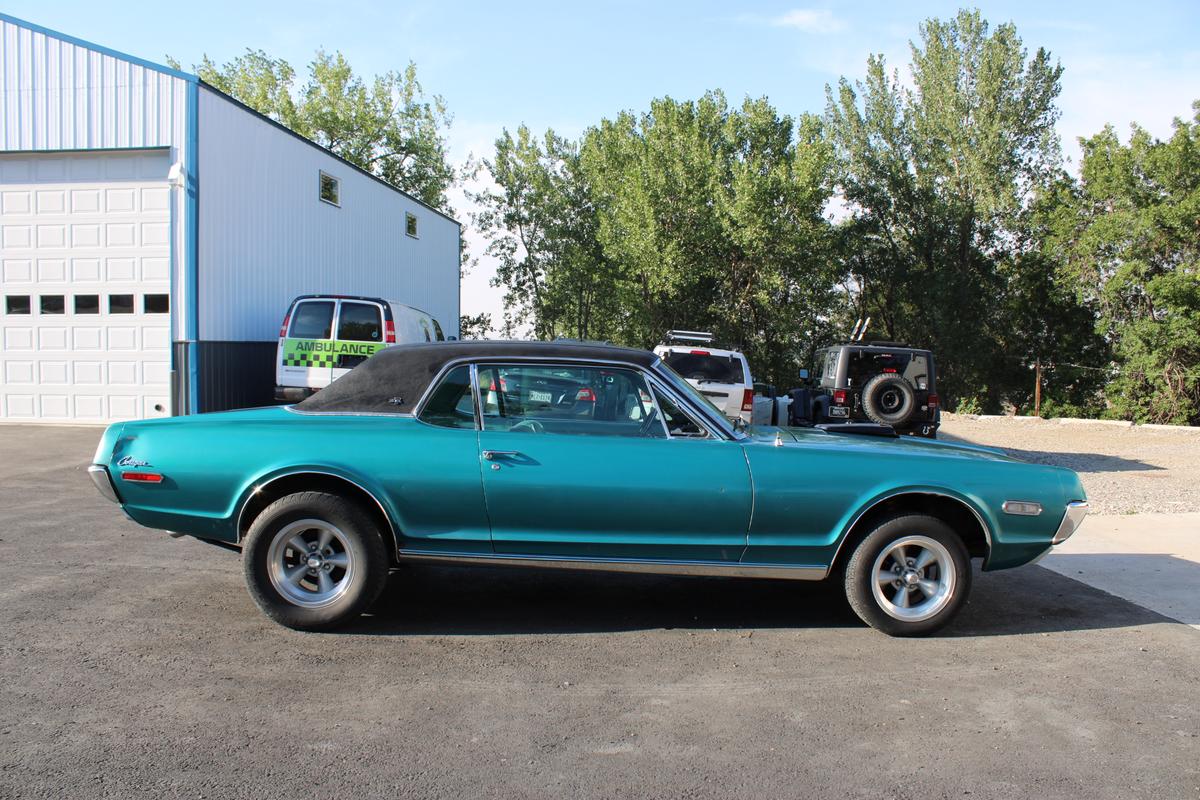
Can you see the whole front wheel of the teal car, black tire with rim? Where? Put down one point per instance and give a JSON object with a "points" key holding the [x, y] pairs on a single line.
{"points": [[950, 575]]}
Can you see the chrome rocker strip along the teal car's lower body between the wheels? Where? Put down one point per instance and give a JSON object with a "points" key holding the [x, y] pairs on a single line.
{"points": [[656, 567]]}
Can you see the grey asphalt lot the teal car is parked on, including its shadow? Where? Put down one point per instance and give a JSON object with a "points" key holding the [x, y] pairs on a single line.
{"points": [[135, 665]]}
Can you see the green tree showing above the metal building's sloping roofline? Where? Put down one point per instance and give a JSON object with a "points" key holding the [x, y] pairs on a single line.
{"points": [[388, 127]]}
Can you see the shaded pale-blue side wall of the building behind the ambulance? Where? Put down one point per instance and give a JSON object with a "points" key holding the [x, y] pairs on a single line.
{"points": [[267, 238]]}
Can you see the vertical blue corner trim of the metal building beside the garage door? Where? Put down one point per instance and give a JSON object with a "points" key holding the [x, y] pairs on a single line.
{"points": [[191, 248]]}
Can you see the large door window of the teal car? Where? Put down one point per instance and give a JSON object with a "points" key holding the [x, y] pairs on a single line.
{"points": [[568, 400]]}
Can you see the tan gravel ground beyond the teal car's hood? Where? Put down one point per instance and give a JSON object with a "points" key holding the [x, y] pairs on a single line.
{"points": [[1125, 470]]}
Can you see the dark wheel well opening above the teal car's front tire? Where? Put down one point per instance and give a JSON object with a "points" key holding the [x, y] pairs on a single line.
{"points": [[963, 519]]}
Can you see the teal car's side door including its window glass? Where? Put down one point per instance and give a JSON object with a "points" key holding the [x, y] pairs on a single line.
{"points": [[578, 464]]}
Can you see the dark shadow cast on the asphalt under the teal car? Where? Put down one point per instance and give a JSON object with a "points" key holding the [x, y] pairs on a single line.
{"points": [[453, 601]]}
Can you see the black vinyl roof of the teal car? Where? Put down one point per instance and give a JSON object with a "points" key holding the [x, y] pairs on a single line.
{"points": [[394, 380]]}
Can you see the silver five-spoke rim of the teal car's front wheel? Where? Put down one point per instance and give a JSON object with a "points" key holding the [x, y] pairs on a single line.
{"points": [[914, 579]]}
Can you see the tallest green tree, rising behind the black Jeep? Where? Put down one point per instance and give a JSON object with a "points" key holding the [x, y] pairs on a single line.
{"points": [[939, 177]]}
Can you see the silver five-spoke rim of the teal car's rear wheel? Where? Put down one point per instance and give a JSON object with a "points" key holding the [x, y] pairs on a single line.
{"points": [[310, 563]]}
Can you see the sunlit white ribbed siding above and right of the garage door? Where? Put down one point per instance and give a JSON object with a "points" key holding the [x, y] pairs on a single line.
{"points": [[57, 94]]}
